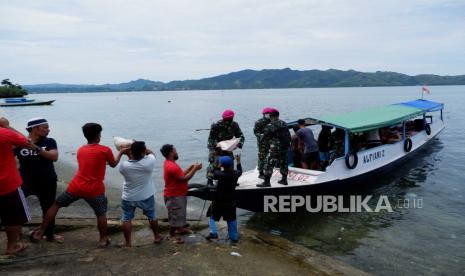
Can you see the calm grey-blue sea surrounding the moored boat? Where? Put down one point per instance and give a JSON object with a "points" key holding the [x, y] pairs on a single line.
{"points": [[427, 240]]}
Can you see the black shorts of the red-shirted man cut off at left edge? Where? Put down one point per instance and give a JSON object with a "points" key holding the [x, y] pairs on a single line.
{"points": [[13, 209]]}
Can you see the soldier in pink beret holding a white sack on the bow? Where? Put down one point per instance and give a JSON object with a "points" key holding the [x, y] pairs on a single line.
{"points": [[222, 130]]}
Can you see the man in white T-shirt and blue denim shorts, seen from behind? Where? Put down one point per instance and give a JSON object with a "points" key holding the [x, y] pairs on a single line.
{"points": [[138, 189]]}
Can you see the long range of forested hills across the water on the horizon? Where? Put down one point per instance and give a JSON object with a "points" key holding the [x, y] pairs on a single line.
{"points": [[268, 78]]}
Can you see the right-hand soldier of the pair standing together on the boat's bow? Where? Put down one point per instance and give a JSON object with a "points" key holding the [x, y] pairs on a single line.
{"points": [[277, 141]]}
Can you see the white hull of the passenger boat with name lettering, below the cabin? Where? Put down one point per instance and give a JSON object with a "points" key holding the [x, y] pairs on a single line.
{"points": [[337, 175]]}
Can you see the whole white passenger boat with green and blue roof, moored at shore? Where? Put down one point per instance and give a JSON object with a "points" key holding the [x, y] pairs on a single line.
{"points": [[417, 123]]}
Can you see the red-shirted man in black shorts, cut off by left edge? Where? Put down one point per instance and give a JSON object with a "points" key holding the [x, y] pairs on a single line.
{"points": [[13, 206]]}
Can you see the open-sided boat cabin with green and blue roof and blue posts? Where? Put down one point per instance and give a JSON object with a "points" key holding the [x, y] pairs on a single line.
{"points": [[359, 131]]}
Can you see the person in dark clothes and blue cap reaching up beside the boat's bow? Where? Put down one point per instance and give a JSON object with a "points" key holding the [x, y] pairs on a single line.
{"points": [[224, 204]]}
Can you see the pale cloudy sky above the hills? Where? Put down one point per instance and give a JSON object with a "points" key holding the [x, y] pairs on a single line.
{"points": [[94, 41]]}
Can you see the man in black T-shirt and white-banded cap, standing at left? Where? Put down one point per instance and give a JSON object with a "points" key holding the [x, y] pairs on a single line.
{"points": [[37, 170]]}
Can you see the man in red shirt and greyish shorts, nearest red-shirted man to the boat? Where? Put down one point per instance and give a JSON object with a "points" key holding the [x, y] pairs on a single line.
{"points": [[176, 190]]}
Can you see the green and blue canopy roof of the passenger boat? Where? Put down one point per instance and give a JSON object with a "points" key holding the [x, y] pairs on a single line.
{"points": [[376, 117]]}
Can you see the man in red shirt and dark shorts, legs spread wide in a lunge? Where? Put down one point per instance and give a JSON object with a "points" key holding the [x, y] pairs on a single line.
{"points": [[87, 184]]}
